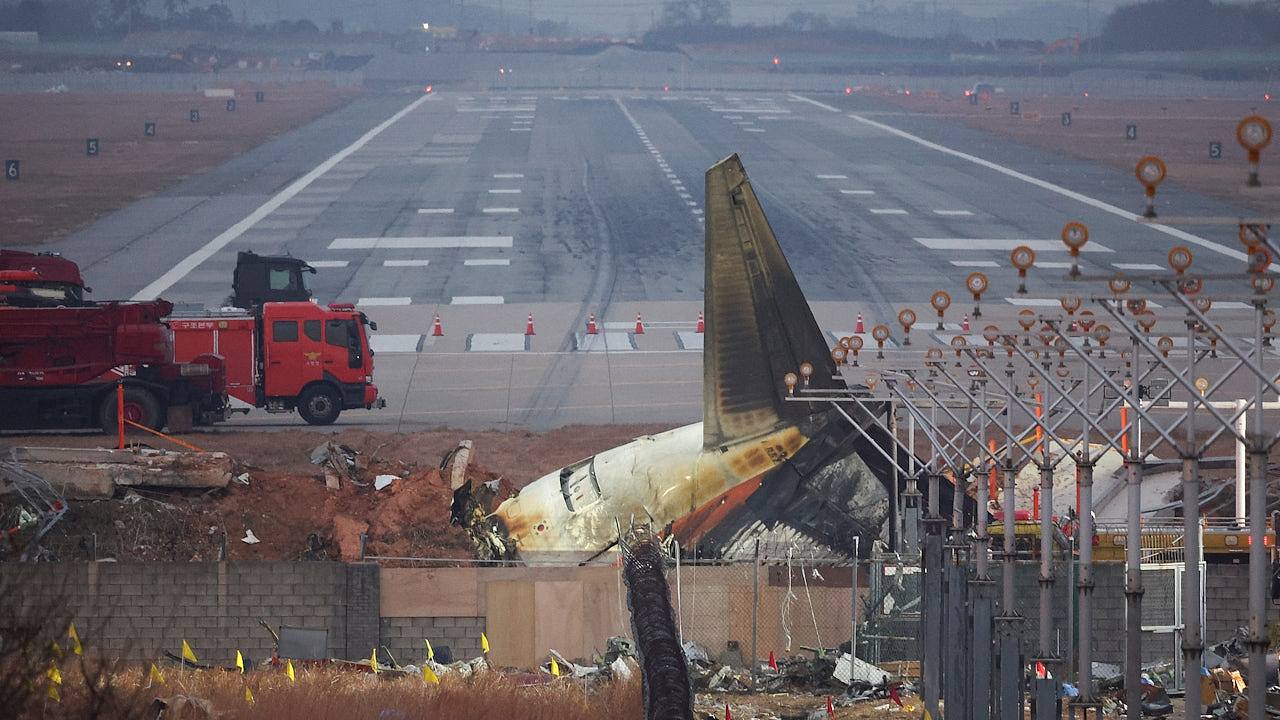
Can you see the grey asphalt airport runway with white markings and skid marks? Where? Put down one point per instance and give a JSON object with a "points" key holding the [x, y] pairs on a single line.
{"points": [[487, 208]]}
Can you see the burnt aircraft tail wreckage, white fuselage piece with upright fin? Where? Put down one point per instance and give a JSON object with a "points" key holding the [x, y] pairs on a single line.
{"points": [[757, 464]]}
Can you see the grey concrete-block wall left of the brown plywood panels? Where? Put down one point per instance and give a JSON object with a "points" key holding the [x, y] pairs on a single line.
{"points": [[140, 610]]}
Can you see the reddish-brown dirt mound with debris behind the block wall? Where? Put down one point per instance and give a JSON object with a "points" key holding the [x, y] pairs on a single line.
{"points": [[291, 511]]}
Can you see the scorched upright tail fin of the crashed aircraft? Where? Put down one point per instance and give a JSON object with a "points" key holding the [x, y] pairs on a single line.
{"points": [[758, 323]]}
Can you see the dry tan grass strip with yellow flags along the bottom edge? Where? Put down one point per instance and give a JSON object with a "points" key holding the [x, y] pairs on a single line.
{"points": [[323, 695]]}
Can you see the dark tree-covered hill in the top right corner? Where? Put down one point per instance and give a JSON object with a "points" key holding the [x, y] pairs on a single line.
{"points": [[1192, 25]]}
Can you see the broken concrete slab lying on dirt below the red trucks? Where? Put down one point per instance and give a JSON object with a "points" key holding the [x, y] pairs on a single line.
{"points": [[97, 473]]}
